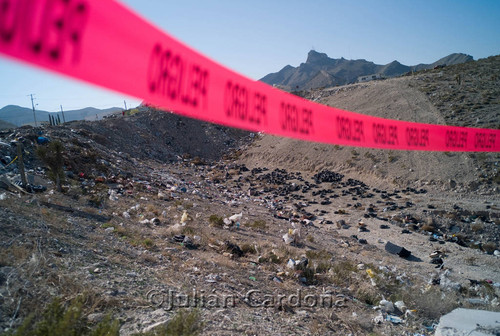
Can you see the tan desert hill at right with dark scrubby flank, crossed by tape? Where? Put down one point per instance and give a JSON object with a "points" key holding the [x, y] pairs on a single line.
{"points": [[432, 96]]}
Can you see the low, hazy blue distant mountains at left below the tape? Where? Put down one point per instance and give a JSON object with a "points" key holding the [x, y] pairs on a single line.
{"points": [[19, 116]]}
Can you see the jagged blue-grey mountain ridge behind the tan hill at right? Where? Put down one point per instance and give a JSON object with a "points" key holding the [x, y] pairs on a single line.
{"points": [[319, 70]]}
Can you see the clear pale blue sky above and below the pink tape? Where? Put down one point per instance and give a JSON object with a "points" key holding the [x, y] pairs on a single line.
{"points": [[262, 36]]}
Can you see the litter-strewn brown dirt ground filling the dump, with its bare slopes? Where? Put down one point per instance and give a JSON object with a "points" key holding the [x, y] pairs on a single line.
{"points": [[136, 225]]}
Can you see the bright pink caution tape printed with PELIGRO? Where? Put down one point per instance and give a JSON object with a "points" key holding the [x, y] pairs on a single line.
{"points": [[105, 43]]}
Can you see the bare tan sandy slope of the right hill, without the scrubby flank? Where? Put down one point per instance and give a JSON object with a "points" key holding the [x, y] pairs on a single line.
{"points": [[394, 99]]}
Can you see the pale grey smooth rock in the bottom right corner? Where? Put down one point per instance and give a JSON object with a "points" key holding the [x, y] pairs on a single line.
{"points": [[462, 322]]}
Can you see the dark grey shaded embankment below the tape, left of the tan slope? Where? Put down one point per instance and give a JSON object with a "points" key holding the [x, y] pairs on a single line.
{"points": [[162, 136]]}
